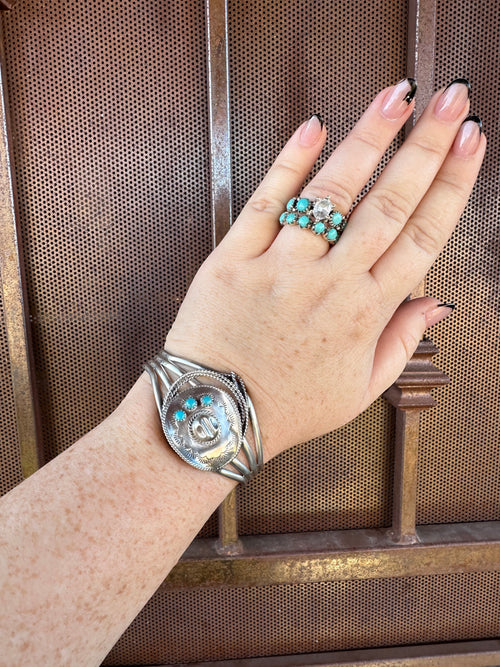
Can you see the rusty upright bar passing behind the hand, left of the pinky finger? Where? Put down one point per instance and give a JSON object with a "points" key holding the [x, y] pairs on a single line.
{"points": [[220, 178]]}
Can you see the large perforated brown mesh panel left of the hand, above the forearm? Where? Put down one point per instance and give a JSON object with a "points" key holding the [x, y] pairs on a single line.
{"points": [[109, 116]]}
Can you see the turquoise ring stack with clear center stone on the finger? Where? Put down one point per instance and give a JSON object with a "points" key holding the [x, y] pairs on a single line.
{"points": [[317, 214]]}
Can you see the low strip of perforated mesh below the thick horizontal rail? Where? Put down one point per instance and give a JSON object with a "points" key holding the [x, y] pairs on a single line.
{"points": [[307, 618]]}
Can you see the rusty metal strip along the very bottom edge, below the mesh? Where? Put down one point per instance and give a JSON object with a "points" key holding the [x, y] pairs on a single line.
{"points": [[460, 654]]}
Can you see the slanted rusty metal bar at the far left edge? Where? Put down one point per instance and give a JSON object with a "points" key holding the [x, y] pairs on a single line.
{"points": [[15, 301]]}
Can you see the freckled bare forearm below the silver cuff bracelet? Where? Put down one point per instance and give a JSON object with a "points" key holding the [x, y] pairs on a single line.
{"points": [[86, 541]]}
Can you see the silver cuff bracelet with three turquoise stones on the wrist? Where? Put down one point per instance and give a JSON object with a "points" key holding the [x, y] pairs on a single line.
{"points": [[204, 415]]}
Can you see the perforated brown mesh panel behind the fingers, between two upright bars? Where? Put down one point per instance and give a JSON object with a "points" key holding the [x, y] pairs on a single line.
{"points": [[287, 61]]}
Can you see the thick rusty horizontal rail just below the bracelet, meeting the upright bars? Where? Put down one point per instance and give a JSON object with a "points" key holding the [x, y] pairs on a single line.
{"points": [[339, 556]]}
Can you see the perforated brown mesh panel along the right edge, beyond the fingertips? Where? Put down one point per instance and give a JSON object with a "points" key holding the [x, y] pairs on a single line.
{"points": [[459, 454]]}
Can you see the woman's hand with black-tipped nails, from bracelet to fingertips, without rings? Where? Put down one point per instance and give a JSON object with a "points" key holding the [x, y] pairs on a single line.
{"points": [[319, 332]]}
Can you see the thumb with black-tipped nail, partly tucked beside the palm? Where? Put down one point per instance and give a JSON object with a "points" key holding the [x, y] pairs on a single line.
{"points": [[400, 339]]}
